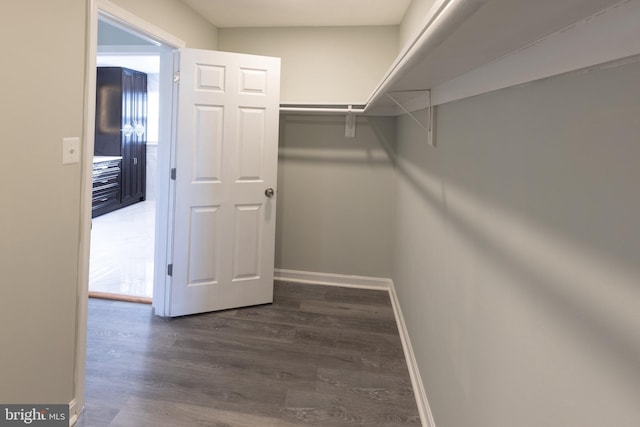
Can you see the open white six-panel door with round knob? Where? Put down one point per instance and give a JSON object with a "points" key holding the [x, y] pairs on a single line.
{"points": [[225, 180]]}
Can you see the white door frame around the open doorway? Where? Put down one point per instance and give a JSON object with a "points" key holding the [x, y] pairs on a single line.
{"points": [[128, 21]]}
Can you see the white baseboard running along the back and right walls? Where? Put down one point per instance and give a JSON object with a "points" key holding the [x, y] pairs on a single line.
{"points": [[306, 277]]}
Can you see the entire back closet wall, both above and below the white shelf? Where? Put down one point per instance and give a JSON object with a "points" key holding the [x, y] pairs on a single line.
{"points": [[334, 193]]}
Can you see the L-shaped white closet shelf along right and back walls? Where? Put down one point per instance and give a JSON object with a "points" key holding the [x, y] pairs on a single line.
{"points": [[468, 47]]}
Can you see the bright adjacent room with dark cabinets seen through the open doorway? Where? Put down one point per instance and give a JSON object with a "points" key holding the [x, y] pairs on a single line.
{"points": [[125, 167]]}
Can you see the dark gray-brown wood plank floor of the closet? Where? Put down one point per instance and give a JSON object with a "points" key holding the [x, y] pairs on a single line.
{"points": [[319, 355]]}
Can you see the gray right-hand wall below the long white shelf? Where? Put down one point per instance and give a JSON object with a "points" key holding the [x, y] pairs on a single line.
{"points": [[517, 253]]}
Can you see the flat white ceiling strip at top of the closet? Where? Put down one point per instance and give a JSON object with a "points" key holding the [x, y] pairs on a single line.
{"points": [[299, 13]]}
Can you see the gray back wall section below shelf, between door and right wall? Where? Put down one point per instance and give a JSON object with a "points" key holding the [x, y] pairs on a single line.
{"points": [[335, 196]]}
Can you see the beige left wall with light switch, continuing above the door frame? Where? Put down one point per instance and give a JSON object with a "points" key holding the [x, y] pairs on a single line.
{"points": [[43, 101]]}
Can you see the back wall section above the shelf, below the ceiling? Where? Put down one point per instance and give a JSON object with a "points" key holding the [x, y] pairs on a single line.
{"points": [[321, 65]]}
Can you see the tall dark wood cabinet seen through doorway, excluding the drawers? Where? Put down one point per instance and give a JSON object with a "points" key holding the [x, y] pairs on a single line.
{"points": [[121, 127]]}
